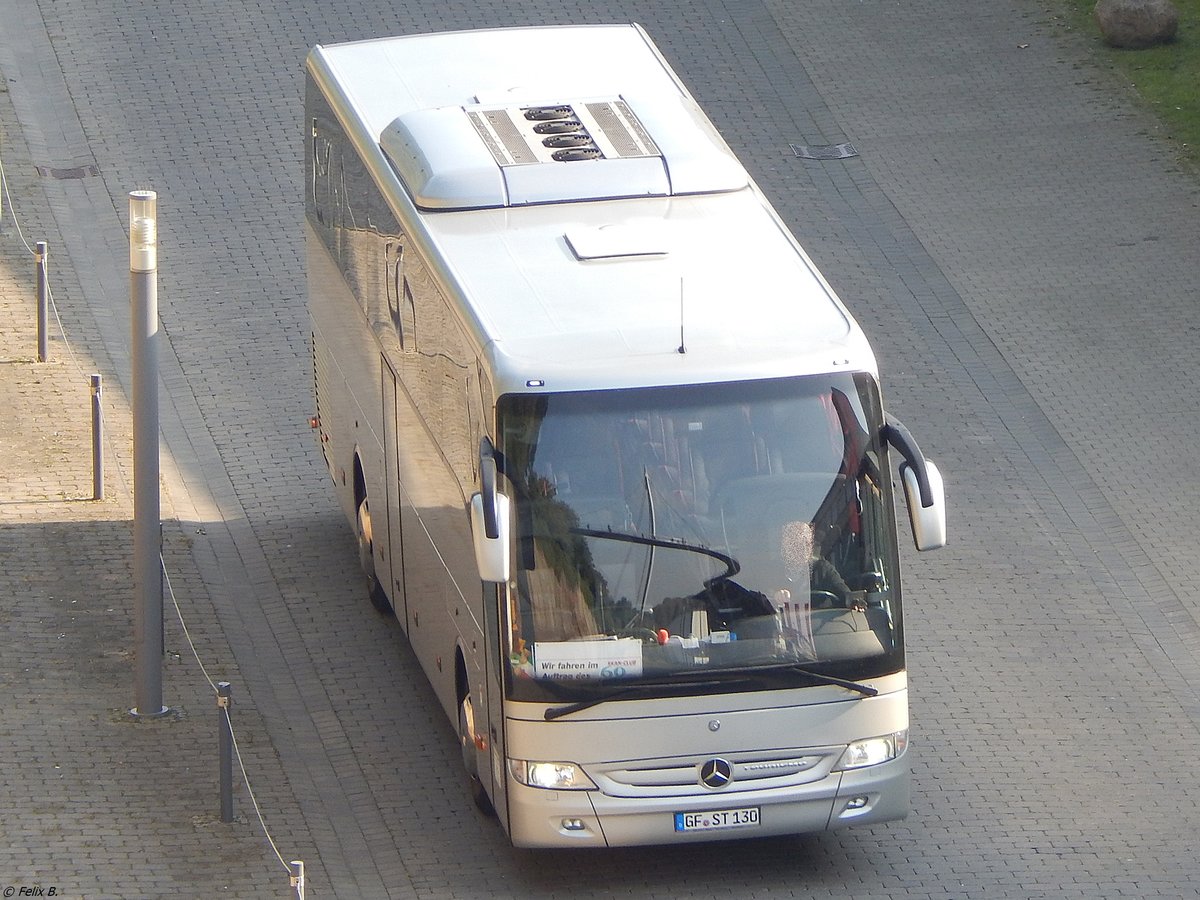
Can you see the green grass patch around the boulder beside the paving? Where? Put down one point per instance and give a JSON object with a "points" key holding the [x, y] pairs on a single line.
{"points": [[1167, 77]]}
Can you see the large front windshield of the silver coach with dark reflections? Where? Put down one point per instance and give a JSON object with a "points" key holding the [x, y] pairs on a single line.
{"points": [[667, 535]]}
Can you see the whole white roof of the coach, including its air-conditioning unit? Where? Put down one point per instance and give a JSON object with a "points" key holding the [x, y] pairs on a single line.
{"points": [[646, 256]]}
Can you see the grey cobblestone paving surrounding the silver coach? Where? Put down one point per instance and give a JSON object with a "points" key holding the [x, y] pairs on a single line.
{"points": [[1016, 238]]}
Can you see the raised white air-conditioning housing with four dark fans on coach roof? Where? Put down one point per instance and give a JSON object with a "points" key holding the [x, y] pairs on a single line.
{"points": [[487, 157]]}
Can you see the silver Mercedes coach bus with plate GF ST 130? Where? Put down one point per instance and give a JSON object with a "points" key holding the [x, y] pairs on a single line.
{"points": [[615, 453]]}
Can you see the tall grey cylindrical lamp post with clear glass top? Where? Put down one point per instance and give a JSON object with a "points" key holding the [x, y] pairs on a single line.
{"points": [[147, 529]]}
